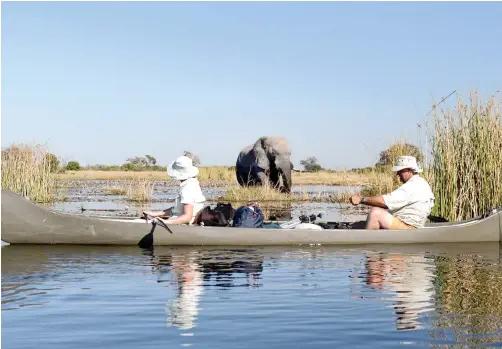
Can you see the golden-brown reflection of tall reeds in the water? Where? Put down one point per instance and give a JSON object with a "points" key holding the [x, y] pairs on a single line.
{"points": [[469, 292]]}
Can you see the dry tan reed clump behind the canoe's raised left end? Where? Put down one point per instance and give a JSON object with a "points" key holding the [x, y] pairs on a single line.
{"points": [[26, 171]]}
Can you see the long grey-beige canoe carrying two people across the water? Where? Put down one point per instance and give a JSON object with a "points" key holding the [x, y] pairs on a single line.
{"points": [[24, 222]]}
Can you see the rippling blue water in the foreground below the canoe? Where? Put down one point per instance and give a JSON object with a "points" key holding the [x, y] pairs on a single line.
{"points": [[441, 295]]}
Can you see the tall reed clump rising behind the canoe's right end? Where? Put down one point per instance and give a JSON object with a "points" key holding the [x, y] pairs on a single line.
{"points": [[465, 169]]}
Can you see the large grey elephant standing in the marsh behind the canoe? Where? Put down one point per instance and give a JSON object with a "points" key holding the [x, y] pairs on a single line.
{"points": [[264, 163]]}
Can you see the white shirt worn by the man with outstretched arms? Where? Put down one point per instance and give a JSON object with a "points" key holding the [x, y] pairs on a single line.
{"points": [[412, 202]]}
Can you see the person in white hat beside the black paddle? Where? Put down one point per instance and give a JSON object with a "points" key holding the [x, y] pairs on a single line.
{"points": [[189, 200]]}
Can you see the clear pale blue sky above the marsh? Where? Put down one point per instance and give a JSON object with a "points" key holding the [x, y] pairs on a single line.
{"points": [[98, 82]]}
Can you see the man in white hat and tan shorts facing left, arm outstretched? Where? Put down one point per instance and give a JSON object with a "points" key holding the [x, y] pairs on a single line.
{"points": [[407, 207]]}
